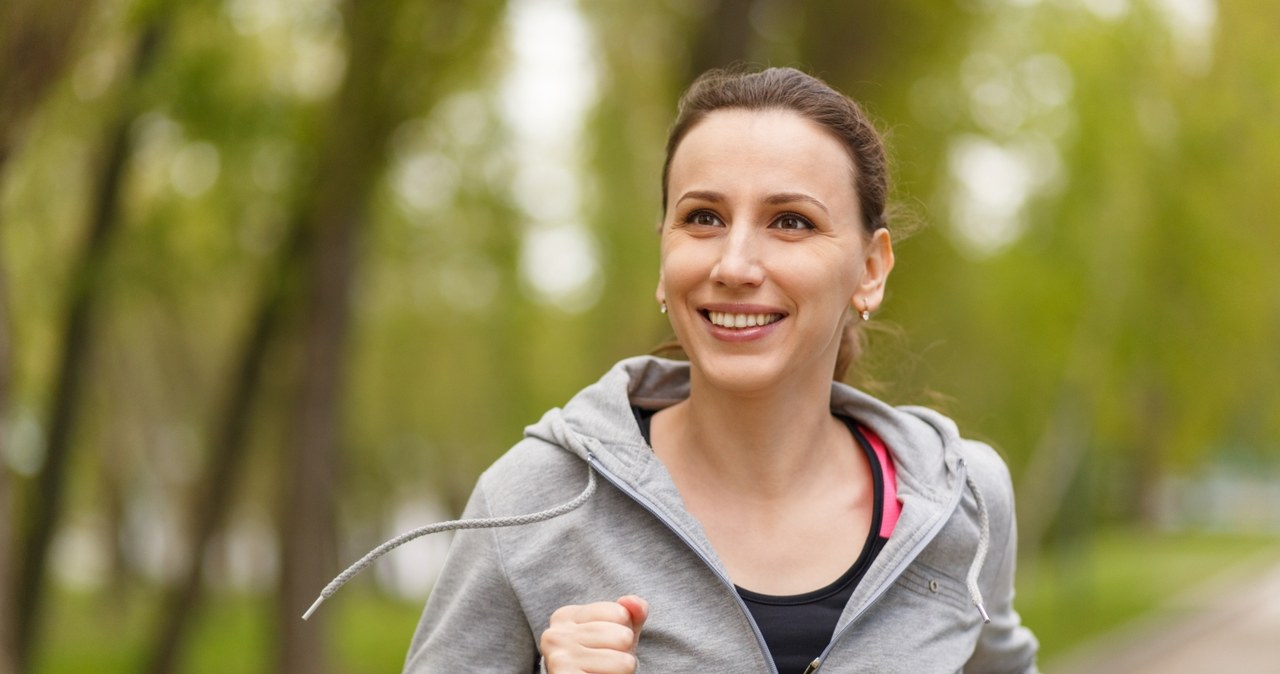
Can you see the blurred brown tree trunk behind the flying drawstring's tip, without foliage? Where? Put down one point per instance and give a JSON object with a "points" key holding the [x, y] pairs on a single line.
{"points": [[353, 154]]}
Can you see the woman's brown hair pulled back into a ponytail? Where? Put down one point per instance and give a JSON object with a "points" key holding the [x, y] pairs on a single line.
{"points": [[788, 89]]}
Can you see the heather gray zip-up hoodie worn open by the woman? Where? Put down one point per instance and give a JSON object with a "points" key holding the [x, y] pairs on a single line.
{"points": [[912, 613]]}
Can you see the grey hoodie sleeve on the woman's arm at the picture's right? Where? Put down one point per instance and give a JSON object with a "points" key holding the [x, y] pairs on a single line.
{"points": [[1005, 645]]}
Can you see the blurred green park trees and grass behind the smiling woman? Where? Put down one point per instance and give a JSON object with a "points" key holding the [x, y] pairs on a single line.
{"points": [[280, 278]]}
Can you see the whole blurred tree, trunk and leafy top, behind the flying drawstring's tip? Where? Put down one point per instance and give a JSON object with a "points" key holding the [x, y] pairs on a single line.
{"points": [[396, 70]]}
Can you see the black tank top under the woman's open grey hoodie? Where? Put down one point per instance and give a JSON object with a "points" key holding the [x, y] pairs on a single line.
{"points": [[798, 627]]}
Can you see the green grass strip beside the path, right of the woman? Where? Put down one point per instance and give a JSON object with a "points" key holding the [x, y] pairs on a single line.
{"points": [[1081, 594]]}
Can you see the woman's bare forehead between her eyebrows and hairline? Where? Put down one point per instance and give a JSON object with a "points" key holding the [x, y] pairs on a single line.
{"points": [[764, 146]]}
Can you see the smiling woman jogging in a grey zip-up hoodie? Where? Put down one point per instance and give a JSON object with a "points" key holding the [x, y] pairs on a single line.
{"points": [[755, 515]]}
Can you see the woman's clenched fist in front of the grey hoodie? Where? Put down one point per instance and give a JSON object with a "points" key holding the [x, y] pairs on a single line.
{"points": [[595, 639]]}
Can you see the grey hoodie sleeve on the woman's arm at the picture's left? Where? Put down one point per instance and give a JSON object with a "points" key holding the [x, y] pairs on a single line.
{"points": [[473, 621]]}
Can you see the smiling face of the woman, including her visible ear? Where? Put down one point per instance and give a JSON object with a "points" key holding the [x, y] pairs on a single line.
{"points": [[764, 250]]}
